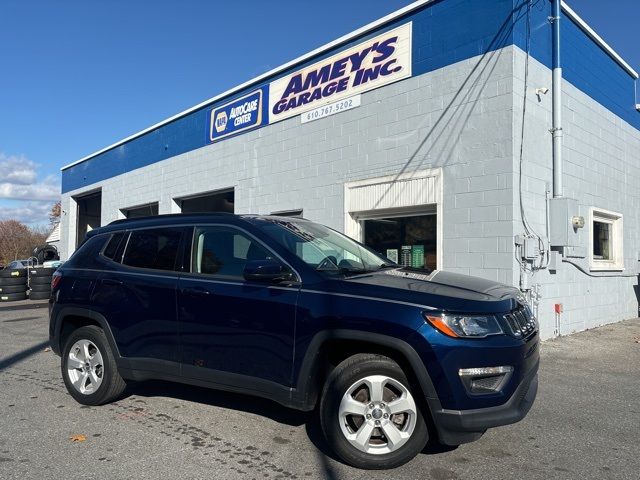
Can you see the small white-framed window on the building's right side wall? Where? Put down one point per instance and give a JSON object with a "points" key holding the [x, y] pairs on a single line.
{"points": [[606, 235]]}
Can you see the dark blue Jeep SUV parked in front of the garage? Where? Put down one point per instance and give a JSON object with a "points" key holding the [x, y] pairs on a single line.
{"points": [[293, 311]]}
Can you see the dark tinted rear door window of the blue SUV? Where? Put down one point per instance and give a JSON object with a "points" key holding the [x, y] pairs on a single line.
{"points": [[155, 249]]}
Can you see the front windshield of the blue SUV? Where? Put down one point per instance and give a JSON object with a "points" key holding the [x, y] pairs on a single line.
{"points": [[323, 248]]}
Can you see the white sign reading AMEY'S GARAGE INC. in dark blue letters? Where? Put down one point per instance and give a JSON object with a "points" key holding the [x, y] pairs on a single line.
{"points": [[371, 64]]}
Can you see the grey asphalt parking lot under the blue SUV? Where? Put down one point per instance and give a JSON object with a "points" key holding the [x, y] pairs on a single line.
{"points": [[585, 423]]}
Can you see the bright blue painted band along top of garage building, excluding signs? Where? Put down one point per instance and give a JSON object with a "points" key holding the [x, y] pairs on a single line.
{"points": [[444, 32]]}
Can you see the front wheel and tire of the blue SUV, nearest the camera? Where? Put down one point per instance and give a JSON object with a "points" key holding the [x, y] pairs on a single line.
{"points": [[369, 415]]}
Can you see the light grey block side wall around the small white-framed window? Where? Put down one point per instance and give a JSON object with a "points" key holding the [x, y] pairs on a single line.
{"points": [[601, 169]]}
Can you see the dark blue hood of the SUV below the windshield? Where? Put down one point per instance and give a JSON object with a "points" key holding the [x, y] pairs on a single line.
{"points": [[438, 289]]}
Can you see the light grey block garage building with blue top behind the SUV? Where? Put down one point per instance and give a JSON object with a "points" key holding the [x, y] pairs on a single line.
{"points": [[496, 138]]}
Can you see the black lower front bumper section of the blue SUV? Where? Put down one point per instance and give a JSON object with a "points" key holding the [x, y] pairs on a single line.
{"points": [[462, 426]]}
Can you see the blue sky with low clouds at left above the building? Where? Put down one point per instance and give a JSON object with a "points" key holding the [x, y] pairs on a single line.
{"points": [[78, 75]]}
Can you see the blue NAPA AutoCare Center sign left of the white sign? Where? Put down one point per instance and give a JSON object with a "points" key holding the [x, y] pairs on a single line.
{"points": [[237, 116]]}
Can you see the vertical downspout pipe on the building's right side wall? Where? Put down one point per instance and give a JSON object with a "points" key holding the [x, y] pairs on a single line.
{"points": [[556, 129]]}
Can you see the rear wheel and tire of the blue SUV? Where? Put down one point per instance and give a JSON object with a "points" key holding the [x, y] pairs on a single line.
{"points": [[89, 368]]}
